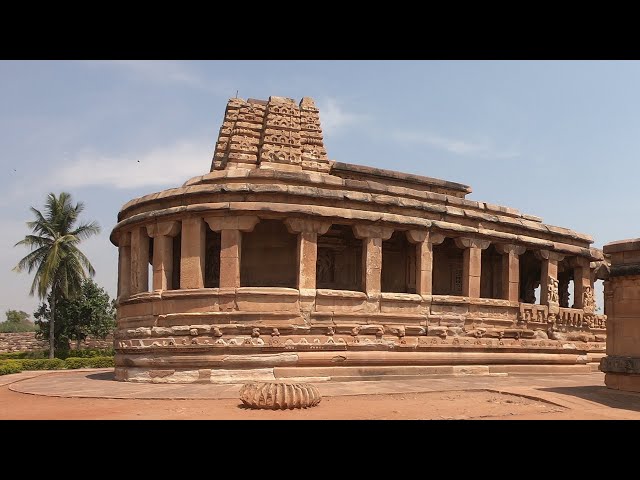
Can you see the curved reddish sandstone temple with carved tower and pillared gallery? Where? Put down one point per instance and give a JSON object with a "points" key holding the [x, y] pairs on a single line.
{"points": [[282, 263]]}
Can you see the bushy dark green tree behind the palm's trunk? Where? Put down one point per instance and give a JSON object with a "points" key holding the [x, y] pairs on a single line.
{"points": [[90, 312]]}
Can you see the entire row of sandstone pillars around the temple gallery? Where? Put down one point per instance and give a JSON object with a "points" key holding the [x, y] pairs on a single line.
{"points": [[134, 254]]}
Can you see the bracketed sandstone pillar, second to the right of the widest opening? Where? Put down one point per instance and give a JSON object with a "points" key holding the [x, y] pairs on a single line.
{"points": [[372, 237]]}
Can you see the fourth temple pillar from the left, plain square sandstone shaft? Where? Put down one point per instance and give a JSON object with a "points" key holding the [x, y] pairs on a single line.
{"points": [[192, 253]]}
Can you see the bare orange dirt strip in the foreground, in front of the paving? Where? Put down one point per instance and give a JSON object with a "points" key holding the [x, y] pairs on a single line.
{"points": [[412, 406]]}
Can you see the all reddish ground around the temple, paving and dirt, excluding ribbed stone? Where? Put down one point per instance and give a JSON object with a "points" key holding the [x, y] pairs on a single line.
{"points": [[95, 394]]}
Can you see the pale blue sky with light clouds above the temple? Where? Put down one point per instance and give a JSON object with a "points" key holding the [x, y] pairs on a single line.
{"points": [[558, 139]]}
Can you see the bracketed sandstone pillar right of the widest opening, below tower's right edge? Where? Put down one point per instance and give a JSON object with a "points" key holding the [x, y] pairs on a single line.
{"points": [[307, 231]]}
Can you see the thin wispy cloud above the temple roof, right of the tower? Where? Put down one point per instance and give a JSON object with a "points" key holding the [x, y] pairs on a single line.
{"points": [[482, 149]]}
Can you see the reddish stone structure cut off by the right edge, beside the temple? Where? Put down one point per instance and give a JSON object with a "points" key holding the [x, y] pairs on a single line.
{"points": [[622, 307]]}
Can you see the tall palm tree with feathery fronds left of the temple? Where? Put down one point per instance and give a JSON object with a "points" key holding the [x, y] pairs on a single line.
{"points": [[58, 263]]}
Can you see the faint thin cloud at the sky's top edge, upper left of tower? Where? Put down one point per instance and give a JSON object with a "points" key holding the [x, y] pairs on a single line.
{"points": [[164, 72]]}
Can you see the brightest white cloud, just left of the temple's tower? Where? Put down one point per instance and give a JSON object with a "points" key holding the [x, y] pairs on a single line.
{"points": [[157, 167]]}
